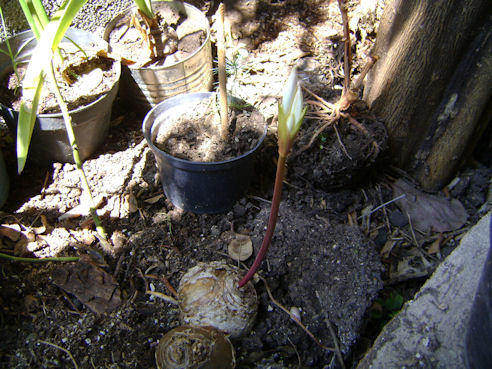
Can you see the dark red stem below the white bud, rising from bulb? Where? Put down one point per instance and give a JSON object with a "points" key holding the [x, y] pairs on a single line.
{"points": [[272, 221]]}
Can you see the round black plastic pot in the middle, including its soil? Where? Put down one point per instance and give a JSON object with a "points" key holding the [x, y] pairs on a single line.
{"points": [[199, 171]]}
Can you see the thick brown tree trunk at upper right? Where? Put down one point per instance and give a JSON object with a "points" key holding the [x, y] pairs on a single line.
{"points": [[432, 83]]}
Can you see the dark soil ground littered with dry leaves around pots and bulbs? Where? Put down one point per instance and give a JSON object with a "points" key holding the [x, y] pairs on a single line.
{"points": [[344, 256]]}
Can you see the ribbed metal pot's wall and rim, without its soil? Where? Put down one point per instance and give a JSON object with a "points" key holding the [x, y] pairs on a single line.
{"points": [[146, 87]]}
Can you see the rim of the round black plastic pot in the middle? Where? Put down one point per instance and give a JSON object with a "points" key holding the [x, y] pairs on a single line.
{"points": [[149, 121]]}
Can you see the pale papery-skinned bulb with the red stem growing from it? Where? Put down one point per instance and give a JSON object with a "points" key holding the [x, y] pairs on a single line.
{"points": [[208, 296]]}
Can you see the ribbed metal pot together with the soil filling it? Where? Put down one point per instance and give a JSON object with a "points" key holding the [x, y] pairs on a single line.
{"points": [[164, 55]]}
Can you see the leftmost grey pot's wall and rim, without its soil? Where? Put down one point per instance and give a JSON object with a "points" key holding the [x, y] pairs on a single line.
{"points": [[49, 142]]}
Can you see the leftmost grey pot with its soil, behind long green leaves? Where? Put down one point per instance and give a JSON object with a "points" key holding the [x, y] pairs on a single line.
{"points": [[94, 79]]}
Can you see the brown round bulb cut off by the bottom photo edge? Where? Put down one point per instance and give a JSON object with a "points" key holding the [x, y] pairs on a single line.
{"points": [[188, 347]]}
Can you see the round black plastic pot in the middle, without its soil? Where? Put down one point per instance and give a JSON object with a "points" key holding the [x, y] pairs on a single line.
{"points": [[203, 188]]}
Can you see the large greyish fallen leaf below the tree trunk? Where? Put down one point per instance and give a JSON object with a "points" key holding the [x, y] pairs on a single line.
{"points": [[429, 212]]}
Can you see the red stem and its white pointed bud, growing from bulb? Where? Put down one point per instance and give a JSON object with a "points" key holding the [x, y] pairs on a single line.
{"points": [[291, 112]]}
